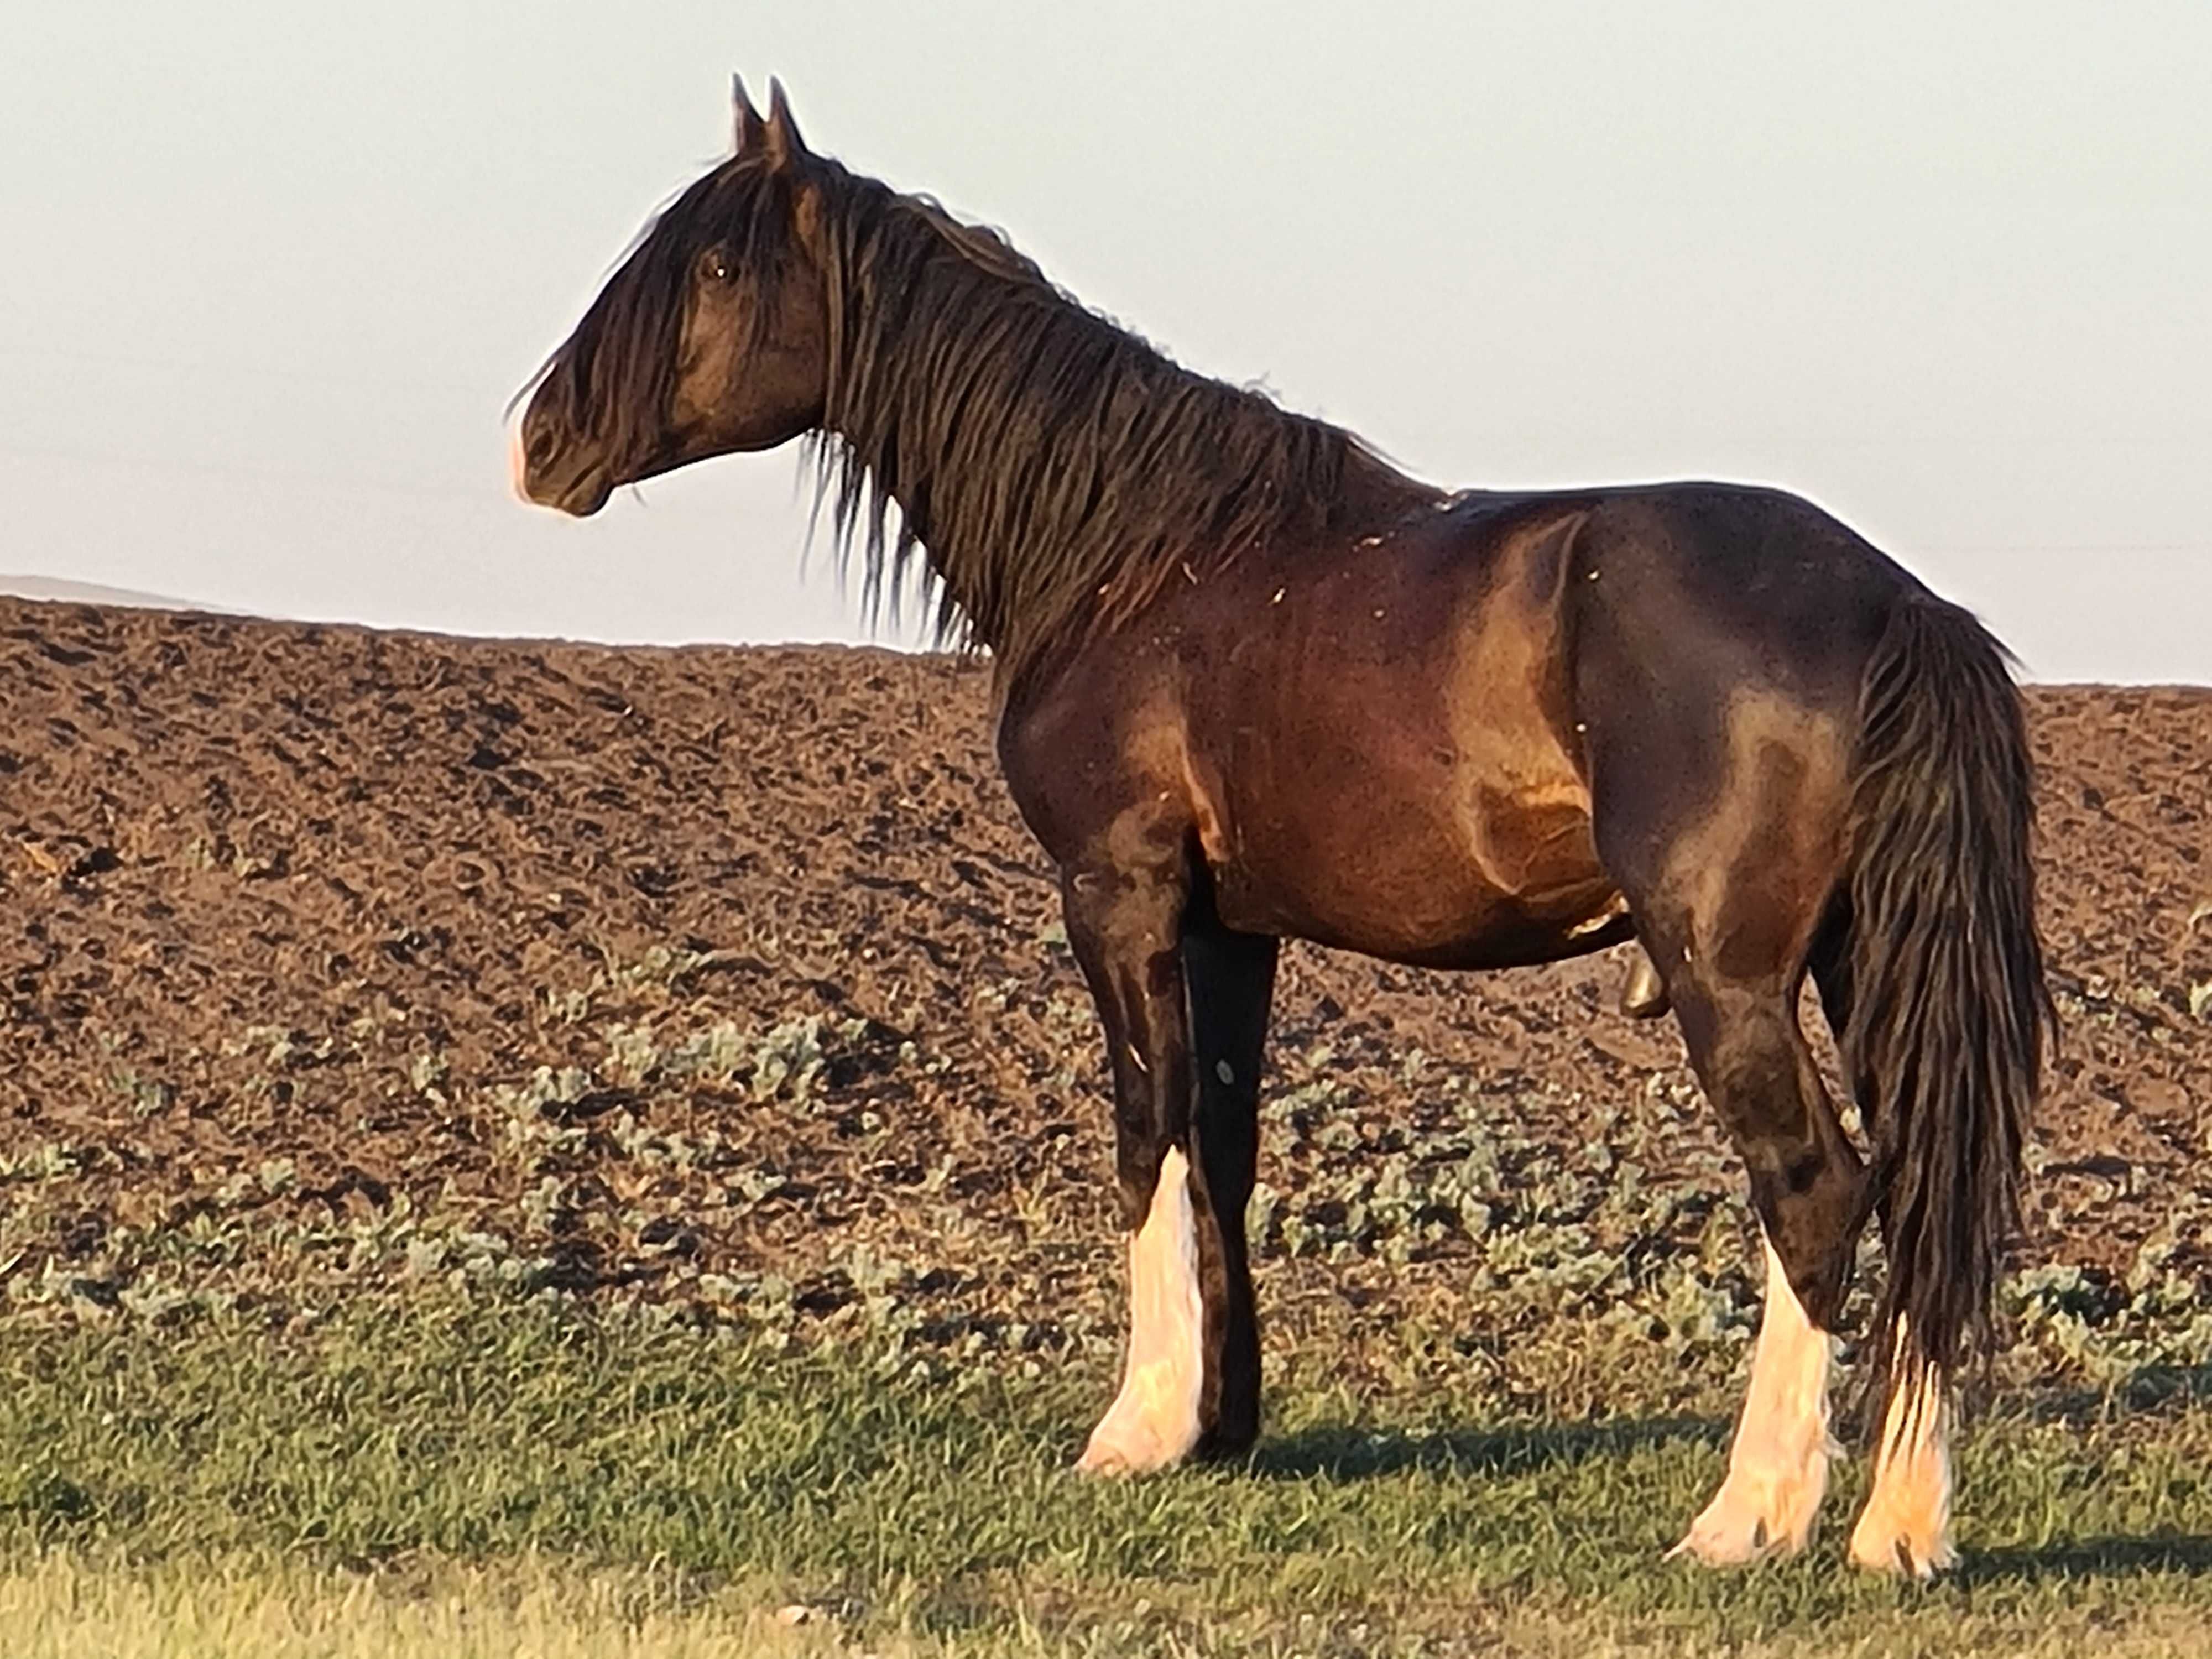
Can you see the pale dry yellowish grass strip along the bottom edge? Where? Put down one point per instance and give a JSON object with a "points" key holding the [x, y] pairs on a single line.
{"points": [[70, 1605]]}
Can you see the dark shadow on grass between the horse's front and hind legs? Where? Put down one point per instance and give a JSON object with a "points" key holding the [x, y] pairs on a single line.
{"points": [[1346, 1452]]}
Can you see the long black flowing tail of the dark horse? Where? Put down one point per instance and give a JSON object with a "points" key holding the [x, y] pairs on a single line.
{"points": [[1948, 977]]}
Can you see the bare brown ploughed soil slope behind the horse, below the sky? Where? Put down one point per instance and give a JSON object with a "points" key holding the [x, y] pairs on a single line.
{"points": [[293, 919]]}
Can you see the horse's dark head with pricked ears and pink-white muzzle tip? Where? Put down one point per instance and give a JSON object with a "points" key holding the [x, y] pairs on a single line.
{"points": [[709, 340]]}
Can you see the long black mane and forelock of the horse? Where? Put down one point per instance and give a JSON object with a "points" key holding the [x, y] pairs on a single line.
{"points": [[1058, 470]]}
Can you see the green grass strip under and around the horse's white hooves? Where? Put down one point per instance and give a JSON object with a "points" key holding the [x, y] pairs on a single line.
{"points": [[410, 1441]]}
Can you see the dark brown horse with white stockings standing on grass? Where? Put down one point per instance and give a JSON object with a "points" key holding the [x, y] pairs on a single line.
{"points": [[1258, 685]]}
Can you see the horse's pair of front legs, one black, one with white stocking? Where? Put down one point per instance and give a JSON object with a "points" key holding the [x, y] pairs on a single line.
{"points": [[1185, 1145]]}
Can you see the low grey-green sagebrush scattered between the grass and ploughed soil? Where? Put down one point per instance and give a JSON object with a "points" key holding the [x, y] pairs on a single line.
{"points": [[1605, 1277]]}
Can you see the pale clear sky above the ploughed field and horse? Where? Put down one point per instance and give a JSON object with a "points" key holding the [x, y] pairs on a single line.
{"points": [[269, 273]]}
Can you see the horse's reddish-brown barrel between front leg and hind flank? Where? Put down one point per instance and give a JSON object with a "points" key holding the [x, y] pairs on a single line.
{"points": [[1390, 764]]}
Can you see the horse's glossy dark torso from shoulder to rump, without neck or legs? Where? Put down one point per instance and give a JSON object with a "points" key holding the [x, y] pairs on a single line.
{"points": [[1408, 742]]}
